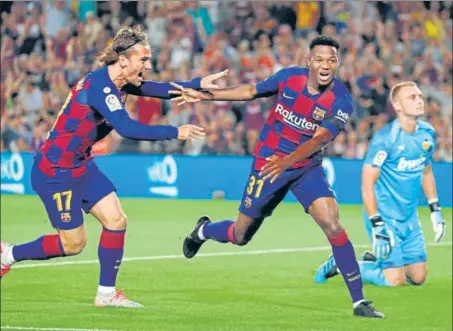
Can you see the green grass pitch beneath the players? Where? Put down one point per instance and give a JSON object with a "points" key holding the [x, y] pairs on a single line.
{"points": [[269, 288]]}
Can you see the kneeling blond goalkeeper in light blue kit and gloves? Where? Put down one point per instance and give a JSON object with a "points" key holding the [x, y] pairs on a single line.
{"points": [[397, 166]]}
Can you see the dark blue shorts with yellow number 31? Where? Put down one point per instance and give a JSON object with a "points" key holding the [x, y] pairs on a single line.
{"points": [[261, 197]]}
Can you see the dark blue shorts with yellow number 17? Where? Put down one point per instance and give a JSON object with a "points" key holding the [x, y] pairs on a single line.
{"points": [[65, 197]]}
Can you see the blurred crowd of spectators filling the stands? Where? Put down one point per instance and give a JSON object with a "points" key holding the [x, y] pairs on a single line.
{"points": [[48, 45]]}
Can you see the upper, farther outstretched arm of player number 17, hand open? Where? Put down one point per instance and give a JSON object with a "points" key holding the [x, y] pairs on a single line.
{"points": [[161, 90]]}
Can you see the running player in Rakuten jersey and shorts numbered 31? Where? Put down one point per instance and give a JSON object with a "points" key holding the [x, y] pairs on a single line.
{"points": [[312, 108]]}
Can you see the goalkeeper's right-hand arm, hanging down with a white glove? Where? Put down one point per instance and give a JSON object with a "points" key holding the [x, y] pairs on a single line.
{"points": [[430, 190]]}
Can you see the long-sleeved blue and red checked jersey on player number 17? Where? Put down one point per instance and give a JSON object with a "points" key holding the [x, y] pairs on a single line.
{"points": [[93, 108]]}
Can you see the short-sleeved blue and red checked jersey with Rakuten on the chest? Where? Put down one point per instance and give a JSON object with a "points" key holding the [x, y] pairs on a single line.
{"points": [[297, 114]]}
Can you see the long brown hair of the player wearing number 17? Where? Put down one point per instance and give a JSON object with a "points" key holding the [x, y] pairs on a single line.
{"points": [[124, 40]]}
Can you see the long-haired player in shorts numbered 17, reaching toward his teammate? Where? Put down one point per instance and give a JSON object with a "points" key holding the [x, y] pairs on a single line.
{"points": [[67, 179]]}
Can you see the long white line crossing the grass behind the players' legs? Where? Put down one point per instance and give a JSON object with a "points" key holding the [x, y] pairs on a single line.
{"points": [[172, 257]]}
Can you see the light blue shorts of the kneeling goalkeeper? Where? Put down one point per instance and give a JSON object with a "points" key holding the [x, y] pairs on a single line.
{"points": [[409, 242]]}
